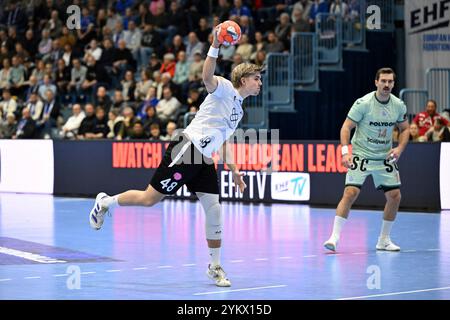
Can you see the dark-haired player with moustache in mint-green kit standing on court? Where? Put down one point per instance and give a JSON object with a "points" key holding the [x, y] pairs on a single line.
{"points": [[374, 116]]}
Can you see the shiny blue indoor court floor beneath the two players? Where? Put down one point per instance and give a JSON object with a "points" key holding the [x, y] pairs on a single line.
{"points": [[49, 251]]}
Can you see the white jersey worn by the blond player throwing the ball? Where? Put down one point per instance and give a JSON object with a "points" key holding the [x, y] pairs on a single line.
{"points": [[217, 118]]}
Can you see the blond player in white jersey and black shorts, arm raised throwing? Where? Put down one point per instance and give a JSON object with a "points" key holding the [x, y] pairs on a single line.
{"points": [[187, 160]]}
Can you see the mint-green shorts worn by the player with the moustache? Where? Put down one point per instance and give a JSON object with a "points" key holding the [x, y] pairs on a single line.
{"points": [[384, 174]]}
